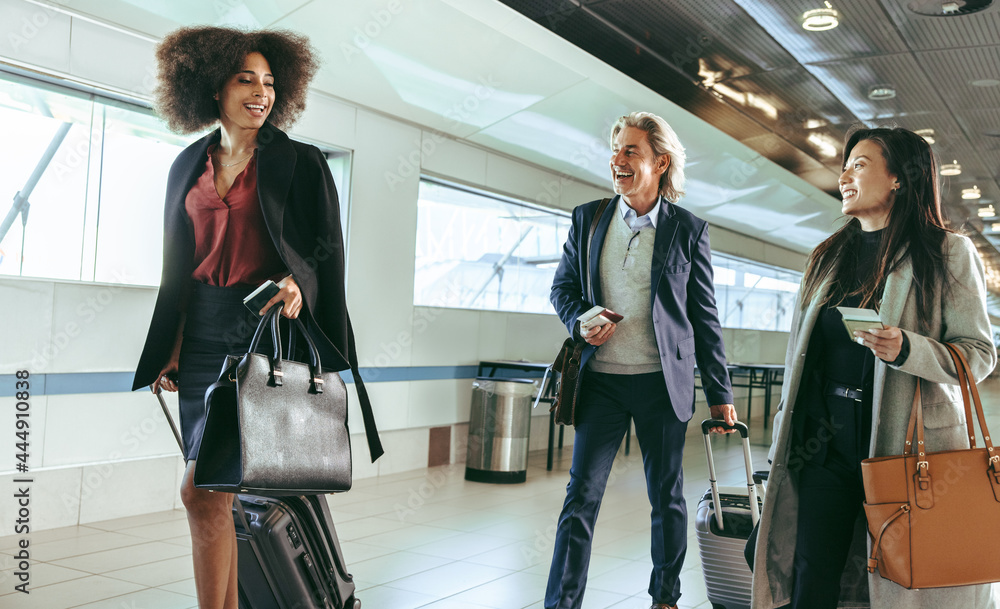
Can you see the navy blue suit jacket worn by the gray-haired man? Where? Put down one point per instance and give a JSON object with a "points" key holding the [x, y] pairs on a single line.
{"points": [[685, 318]]}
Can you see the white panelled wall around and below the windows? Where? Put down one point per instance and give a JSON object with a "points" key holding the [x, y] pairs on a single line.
{"points": [[106, 455]]}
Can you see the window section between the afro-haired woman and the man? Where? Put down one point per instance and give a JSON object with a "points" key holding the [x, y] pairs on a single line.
{"points": [[480, 251]]}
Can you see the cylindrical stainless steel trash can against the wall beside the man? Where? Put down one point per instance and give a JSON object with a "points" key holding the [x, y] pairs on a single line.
{"points": [[499, 422]]}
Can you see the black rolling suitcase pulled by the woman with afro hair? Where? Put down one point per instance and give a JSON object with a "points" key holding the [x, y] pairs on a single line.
{"points": [[289, 554]]}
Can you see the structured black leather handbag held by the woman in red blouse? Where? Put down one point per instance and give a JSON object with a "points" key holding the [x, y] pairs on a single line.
{"points": [[275, 427]]}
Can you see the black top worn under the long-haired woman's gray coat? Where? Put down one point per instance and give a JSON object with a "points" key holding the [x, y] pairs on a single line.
{"points": [[846, 362]]}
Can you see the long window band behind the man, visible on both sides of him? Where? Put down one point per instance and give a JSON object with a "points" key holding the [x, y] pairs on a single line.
{"points": [[476, 250]]}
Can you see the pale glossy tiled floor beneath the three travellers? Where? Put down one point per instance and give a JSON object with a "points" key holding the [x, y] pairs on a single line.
{"points": [[425, 538]]}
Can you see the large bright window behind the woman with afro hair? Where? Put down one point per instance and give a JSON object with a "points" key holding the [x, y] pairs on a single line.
{"points": [[82, 184]]}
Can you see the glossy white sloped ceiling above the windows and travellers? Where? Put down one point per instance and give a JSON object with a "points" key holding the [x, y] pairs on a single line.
{"points": [[481, 72]]}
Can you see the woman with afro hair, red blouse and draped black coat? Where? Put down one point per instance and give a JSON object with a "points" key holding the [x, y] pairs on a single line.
{"points": [[244, 204]]}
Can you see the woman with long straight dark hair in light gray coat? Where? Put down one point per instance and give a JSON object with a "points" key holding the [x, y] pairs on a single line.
{"points": [[848, 397]]}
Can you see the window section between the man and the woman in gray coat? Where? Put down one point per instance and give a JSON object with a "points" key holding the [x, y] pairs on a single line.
{"points": [[754, 296]]}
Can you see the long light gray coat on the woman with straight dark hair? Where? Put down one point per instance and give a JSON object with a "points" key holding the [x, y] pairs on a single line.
{"points": [[959, 317]]}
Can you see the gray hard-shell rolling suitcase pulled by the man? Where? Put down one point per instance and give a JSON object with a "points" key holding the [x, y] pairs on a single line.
{"points": [[725, 517]]}
